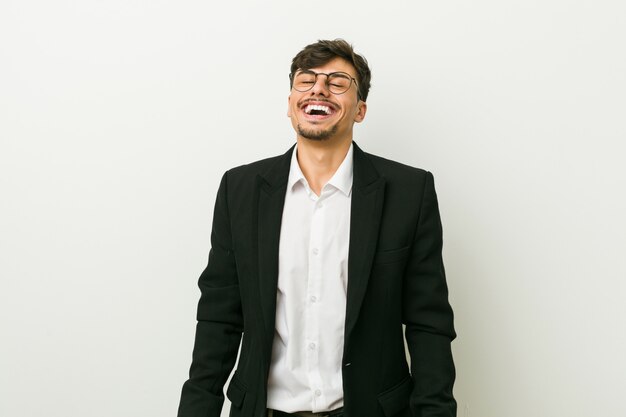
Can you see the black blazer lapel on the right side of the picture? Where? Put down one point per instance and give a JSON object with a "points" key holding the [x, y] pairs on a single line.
{"points": [[368, 190]]}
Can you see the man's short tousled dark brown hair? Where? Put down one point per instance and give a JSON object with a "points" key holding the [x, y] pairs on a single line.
{"points": [[324, 51]]}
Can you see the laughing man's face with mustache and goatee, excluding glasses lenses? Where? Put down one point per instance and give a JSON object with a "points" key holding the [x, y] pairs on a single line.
{"points": [[339, 111]]}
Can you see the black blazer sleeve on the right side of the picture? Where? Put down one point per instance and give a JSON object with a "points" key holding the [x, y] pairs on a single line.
{"points": [[428, 315]]}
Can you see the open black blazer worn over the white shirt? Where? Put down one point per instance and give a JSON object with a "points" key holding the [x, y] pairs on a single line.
{"points": [[395, 276]]}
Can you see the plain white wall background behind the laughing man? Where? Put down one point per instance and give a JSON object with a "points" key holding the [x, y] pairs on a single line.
{"points": [[117, 119]]}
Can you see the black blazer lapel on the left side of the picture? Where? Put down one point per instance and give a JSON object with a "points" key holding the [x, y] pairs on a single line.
{"points": [[271, 189]]}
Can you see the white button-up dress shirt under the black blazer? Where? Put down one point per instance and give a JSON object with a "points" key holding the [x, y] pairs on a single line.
{"points": [[305, 373]]}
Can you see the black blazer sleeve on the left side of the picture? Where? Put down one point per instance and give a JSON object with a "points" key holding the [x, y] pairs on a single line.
{"points": [[220, 321]]}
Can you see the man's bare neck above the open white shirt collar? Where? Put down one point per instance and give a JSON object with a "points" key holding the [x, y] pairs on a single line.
{"points": [[319, 160]]}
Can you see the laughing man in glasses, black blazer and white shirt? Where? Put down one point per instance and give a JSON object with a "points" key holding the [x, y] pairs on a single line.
{"points": [[318, 257]]}
